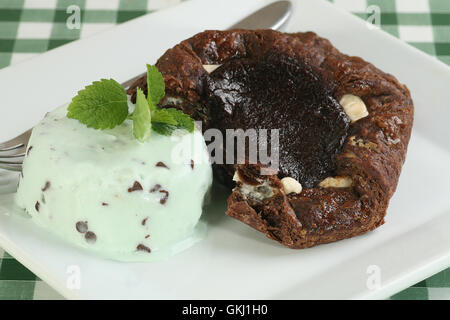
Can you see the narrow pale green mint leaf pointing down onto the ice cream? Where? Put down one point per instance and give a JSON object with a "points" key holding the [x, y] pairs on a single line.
{"points": [[142, 125]]}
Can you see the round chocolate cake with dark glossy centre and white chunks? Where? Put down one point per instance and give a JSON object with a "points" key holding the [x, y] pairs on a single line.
{"points": [[344, 128]]}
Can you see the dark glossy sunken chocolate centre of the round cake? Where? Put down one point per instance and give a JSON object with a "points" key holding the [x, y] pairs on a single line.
{"points": [[277, 92]]}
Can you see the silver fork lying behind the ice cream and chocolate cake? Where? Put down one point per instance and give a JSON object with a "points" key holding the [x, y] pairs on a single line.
{"points": [[273, 16]]}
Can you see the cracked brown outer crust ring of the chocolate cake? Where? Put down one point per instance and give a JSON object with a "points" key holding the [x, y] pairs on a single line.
{"points": [[371, 158]]}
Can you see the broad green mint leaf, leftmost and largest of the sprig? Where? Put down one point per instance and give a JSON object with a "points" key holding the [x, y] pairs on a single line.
{"points": [[101, 105]]}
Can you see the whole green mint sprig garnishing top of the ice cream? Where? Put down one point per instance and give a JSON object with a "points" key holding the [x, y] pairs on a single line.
{"points": [[103, 105]]}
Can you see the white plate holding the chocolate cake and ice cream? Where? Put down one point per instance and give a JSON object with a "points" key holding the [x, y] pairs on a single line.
{"points": [[235, 261]]}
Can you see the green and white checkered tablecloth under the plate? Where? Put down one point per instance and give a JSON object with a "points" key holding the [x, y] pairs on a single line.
{"points": [[30, 27]]}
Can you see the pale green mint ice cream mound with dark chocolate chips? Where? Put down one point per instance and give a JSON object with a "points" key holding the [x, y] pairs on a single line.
{"points": [[109, 193]]}
